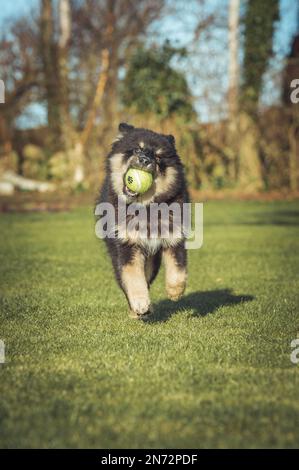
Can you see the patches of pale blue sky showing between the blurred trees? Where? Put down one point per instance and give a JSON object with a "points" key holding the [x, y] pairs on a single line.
{"points": [[207, 71]]}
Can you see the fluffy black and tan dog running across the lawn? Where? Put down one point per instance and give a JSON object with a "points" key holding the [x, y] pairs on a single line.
{"points": [[136, 260]]}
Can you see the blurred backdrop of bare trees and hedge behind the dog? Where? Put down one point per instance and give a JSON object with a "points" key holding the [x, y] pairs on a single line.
{"points": [[87, 65]]}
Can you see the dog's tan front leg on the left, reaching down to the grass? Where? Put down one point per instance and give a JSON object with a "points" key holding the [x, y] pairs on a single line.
{"points": [[135, 285]]}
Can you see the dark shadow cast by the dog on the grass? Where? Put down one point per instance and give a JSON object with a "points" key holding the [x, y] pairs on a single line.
{"points": [[201, 304]]}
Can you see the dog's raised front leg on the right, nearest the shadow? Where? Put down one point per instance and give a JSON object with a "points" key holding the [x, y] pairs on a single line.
{"points": [[175, 260]]}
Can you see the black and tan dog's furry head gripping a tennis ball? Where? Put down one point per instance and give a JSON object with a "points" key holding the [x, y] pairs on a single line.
{"points": [[147, 150]]}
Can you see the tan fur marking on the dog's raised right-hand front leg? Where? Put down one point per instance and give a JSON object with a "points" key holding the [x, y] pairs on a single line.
{"points": [[176, 276]]}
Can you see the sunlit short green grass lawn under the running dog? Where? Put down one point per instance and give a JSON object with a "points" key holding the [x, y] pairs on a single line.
{"points": [[213, 370]]}
